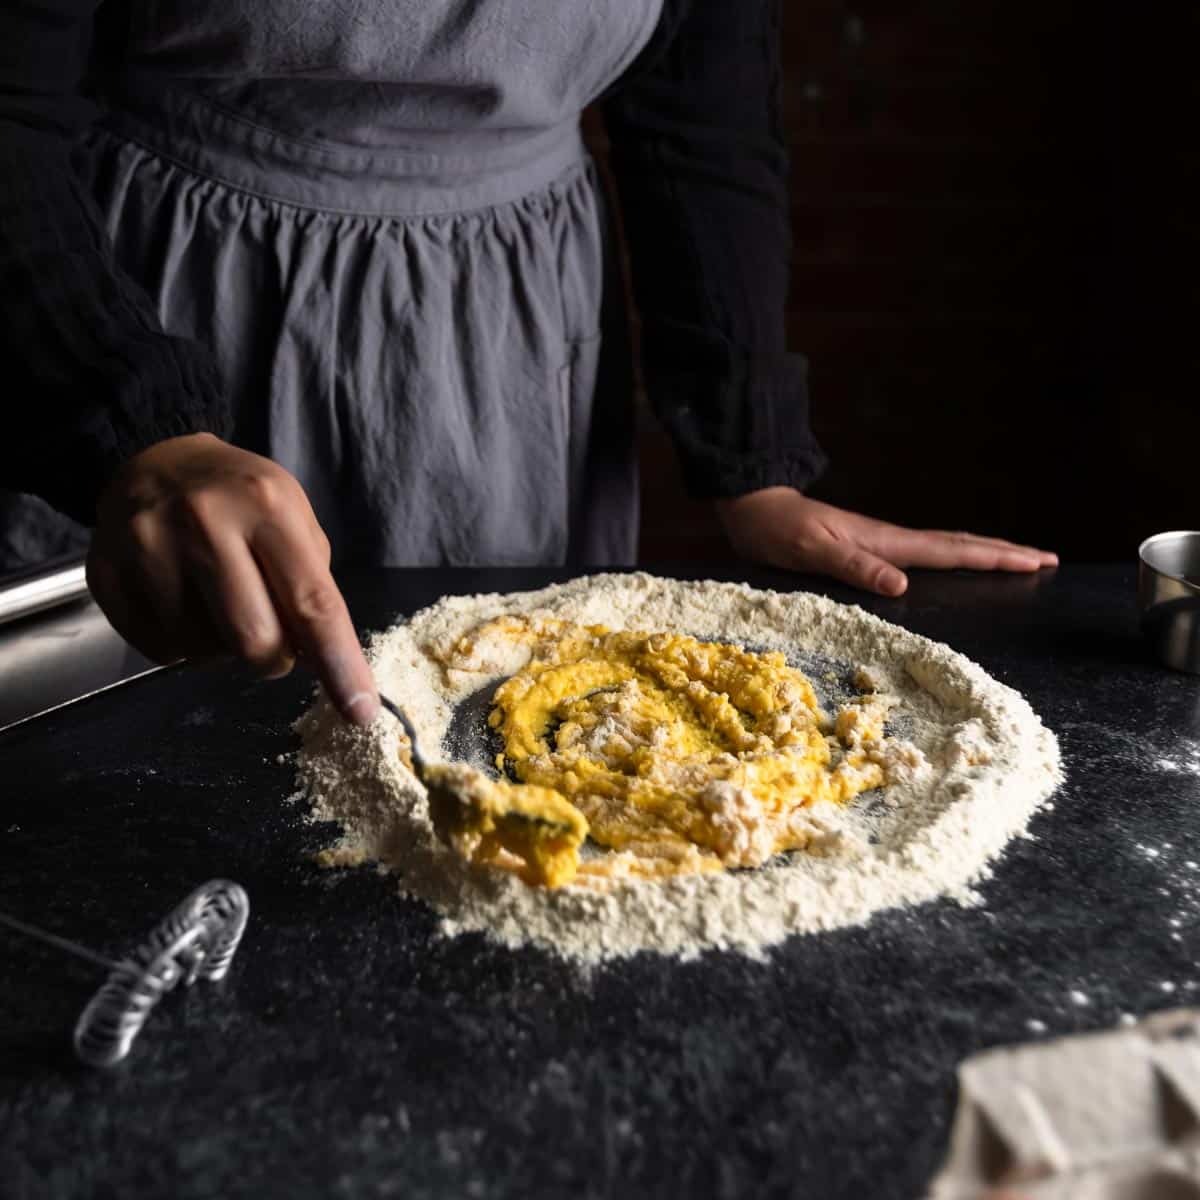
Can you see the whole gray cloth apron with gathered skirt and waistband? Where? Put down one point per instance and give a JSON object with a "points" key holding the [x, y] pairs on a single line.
{"points": [[382, 220]]}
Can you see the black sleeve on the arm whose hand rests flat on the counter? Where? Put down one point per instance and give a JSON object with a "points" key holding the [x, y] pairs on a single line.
{"points": [[700, 164]]}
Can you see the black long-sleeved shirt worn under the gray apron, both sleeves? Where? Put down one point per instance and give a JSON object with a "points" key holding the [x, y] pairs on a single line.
{"points": [[701, 169]]}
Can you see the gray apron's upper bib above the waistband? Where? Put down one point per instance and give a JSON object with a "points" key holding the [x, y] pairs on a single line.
{"points": [[459, 76]]}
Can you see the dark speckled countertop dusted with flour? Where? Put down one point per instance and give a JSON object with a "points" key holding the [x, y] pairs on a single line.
{"points": [[355, 1053]]}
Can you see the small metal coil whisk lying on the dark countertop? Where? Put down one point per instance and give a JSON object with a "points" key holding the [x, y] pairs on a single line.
{"points": [[196, 940]]}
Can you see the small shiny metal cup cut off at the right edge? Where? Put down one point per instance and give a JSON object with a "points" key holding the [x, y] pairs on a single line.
{"points": [[1169, 597]]}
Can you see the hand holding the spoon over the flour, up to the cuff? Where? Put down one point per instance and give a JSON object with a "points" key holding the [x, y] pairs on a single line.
{"points": [[205, 550]]}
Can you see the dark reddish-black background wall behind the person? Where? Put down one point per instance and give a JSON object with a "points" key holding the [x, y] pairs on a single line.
{"points": [[997, 223]]}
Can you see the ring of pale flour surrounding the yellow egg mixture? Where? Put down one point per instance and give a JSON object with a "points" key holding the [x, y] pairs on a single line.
{"points": [[969, 766]]}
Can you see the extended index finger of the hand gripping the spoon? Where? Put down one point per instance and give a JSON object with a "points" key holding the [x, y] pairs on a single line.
{"points": [[315, 617]]}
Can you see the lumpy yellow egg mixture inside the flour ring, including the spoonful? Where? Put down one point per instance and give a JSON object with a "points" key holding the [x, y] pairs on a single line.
{"points": [[676, 755]]}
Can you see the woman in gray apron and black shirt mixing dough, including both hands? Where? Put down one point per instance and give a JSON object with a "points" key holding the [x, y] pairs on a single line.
{"points": [[284, 281]]}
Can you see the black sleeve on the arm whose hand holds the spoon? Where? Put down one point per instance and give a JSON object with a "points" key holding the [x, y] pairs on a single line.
{"points": [[94, 379]]}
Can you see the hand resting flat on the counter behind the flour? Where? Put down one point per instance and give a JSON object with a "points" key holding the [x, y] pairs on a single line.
{"points": [[783, 527]]}
